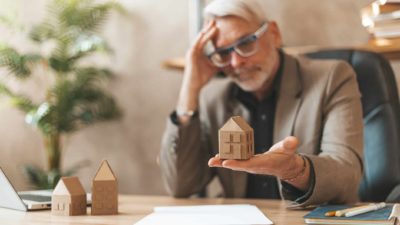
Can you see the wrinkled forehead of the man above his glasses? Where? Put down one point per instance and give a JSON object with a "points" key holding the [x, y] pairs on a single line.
{"points": [[231, 29]]}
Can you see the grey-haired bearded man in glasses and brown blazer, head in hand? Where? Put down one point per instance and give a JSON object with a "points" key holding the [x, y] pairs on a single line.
{"points": [[310, 109]]}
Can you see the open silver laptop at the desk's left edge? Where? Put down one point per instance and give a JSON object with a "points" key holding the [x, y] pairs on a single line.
{"points": [[26, 200]]}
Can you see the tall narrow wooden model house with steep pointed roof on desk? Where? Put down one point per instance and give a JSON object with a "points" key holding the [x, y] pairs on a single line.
{"points": [[104, 191]]}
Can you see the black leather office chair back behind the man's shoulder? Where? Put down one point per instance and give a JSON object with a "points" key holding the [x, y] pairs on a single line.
{"points": [[381, 111]]}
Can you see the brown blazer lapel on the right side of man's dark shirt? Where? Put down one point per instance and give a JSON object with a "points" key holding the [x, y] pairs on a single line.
{"points": [[289, 100]]}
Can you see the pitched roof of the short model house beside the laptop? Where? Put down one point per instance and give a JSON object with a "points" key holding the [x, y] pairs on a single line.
{"points": [[69, 186]]}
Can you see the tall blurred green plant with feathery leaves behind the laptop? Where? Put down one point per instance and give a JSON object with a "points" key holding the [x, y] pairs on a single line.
{"points": [[77, 96]]}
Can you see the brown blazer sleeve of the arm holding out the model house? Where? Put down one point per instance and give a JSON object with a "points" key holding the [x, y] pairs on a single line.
{"points": [[338, 167]]}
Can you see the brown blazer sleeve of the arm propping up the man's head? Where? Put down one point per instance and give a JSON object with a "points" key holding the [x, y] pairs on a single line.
{"points": [[183, 162]]}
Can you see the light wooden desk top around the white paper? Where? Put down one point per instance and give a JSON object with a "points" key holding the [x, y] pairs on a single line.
{"points": [[133, 208]]}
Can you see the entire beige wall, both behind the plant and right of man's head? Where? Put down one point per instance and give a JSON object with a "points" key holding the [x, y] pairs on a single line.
{"points": [[152, 31]]}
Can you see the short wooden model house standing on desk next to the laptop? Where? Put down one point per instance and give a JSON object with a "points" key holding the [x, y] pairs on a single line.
{"points": [[69, 198]]}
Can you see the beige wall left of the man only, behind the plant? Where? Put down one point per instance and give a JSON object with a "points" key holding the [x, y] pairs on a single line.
{"points": [[151, 32]]}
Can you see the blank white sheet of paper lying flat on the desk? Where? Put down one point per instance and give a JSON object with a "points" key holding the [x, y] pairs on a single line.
{"points": [[206, 215]]}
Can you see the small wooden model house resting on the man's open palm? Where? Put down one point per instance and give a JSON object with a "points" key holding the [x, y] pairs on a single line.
{"points": [[236, 139]]}
